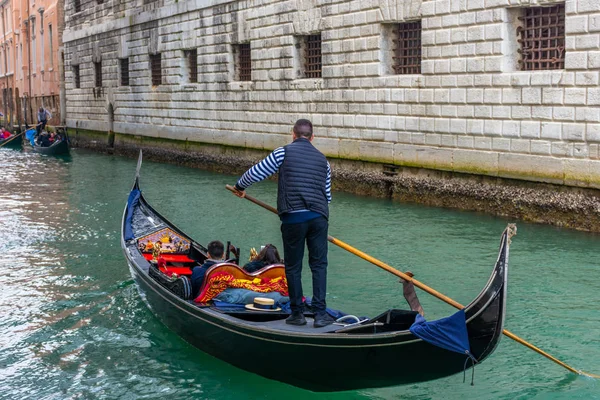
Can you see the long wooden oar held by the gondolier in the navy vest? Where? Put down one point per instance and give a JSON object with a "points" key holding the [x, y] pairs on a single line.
{"points": [[421, 286]]}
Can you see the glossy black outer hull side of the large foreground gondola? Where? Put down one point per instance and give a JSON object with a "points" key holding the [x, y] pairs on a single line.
{"points": [[322, 365]]}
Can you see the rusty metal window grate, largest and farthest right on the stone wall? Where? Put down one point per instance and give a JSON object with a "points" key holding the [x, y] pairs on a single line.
{"points": [[542, 38]]}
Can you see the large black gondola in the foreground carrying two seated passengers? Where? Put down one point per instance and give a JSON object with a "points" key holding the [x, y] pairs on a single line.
{"points": [[377, 352]]}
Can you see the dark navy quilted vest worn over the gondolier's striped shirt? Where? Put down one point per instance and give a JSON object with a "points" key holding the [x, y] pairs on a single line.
{"points": [[302, 179]]}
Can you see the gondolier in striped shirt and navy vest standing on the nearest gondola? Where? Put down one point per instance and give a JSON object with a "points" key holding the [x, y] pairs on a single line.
{"points": [[303, 198]]}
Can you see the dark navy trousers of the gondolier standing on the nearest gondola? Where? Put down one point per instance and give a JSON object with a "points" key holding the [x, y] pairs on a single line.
{"points": [[314, 234]]}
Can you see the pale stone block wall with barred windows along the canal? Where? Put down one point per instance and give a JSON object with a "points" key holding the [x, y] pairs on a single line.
{"points": [[470, 110]]}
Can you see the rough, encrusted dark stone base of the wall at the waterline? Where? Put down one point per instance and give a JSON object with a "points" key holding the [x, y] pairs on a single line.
{"points": [[576, 208]]}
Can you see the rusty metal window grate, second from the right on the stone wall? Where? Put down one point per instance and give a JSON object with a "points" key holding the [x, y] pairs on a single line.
{"points": [[407, 48]]}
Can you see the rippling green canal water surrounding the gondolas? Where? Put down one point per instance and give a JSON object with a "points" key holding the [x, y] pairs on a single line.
{"points": [[72, 325]]}
